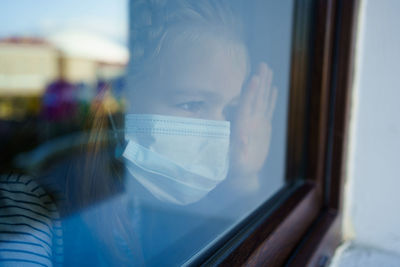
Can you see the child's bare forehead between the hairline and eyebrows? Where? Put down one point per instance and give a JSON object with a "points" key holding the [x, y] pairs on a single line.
{"points": [[208, 63]]}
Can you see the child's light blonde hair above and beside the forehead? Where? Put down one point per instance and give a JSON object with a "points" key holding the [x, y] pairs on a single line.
{"points": [[155, 24]]}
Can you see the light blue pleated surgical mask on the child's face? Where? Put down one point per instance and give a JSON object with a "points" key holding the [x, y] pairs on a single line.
{"points": [[179, 160]]}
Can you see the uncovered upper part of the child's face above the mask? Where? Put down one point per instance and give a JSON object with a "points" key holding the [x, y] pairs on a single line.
{"points": [[196, 79]]}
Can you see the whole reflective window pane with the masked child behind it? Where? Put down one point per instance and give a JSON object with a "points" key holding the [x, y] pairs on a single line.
{"points": [[138, 132]]}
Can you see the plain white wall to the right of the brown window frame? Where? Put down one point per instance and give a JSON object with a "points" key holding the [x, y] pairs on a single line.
{"points": [[372, 203]]}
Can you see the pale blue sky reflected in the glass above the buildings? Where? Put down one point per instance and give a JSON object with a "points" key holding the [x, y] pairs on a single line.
{"points": [[108, 18]]}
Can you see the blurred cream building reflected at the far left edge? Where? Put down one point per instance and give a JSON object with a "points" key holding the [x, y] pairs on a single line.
{"points": [[27, 65]]}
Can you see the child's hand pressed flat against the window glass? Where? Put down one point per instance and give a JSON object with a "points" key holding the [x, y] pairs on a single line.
{"points": [[251, 128]]}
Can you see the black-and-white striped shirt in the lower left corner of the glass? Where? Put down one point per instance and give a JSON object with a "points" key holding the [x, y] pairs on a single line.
{"points": [[30, 226]]}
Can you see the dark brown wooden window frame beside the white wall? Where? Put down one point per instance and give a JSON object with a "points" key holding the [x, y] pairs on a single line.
{"points": [[301, 224]]}
